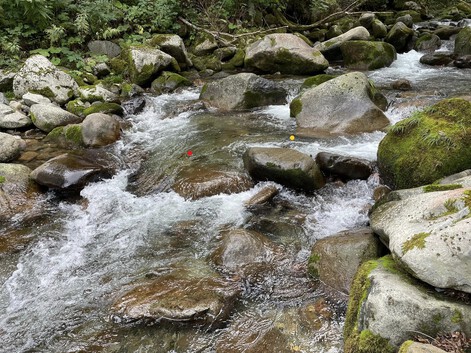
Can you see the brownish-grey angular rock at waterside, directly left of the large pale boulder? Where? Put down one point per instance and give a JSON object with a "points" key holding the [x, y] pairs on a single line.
{"points": [[336, 259]]}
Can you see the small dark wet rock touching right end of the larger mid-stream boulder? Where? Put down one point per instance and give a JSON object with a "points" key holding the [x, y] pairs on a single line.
{"points": [[348, 168]]}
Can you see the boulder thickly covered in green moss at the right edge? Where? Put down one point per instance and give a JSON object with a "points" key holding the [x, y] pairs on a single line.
{"points": [[427, 146]]}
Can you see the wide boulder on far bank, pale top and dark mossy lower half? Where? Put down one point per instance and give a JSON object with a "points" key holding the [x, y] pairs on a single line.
{"points": [[285, 53]]}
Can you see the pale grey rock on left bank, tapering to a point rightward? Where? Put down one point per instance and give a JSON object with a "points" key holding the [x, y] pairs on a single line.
{"points": [[47, 117]]}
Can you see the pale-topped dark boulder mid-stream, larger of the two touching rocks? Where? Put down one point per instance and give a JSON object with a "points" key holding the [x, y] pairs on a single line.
{"points": [[285, 166]]}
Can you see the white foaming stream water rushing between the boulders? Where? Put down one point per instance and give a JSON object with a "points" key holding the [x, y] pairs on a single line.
{"points": [[56, 291]]}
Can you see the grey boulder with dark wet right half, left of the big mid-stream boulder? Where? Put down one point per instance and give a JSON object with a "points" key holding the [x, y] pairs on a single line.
{"points": [[242, 91]]}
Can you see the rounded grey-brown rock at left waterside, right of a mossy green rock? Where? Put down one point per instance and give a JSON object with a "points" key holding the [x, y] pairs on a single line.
{"points": [[100, 130]]}
